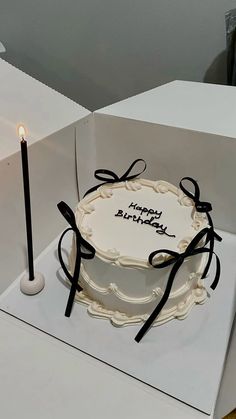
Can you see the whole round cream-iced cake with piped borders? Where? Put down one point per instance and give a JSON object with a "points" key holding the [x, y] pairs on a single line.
{"points": [[125, 222]]}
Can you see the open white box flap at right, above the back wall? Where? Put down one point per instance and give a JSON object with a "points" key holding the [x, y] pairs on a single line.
{"points": [[193, 106]]}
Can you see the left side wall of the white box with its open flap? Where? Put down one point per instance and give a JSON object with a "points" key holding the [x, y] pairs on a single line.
{"points": [[50, 121]]}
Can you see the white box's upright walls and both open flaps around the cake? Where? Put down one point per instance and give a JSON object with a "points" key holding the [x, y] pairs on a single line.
{"points": [[180, 129]]}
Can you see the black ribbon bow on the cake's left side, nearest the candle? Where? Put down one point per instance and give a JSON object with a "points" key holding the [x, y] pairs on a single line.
{"points": [[89, 253]]}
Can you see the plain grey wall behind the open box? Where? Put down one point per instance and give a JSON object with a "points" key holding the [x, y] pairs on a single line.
{"points": [[98, 52]]}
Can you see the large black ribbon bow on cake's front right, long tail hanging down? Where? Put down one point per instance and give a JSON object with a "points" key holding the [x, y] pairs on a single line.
{"points": [[177, 260]]}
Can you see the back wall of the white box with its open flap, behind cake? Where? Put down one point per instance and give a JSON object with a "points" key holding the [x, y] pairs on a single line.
{"points": [[180, 129]]}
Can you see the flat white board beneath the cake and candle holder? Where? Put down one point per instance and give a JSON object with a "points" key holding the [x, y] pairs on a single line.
{"points": [[183, 359]]}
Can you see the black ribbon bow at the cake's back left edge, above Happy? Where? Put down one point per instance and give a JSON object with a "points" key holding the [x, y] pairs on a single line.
{"points": [[107, 176]]}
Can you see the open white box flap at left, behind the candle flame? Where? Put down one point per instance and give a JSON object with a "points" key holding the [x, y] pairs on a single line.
{"points": [[41, 109]]}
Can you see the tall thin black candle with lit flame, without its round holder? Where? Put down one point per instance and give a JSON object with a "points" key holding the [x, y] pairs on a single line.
{"points": [[25, 171]]}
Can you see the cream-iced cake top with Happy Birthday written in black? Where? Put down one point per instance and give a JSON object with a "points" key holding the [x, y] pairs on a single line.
{"points": [[126, 221]]}
